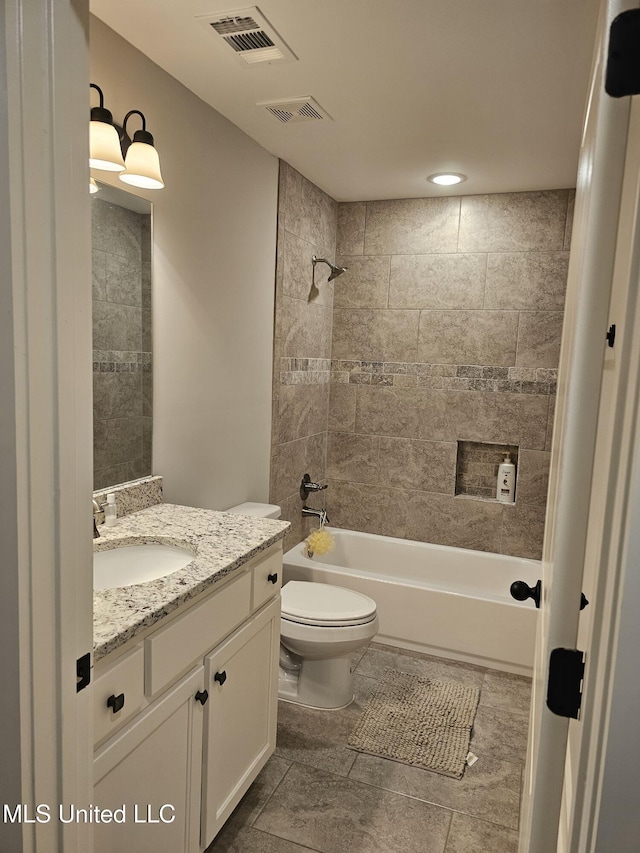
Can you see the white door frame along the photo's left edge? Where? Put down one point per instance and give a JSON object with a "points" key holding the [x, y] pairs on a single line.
{"points": [[46, 445]]}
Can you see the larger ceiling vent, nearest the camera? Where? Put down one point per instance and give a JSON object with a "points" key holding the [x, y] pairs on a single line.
{"points": [[248, 33]]}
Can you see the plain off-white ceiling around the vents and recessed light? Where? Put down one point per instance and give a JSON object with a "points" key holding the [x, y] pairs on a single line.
{"points": [[494, 89]]}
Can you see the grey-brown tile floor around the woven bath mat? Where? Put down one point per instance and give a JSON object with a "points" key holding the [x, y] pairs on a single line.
{"points": [[316, 795]]}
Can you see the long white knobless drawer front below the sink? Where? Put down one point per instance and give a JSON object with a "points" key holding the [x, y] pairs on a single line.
{"points": [[172, 650]]}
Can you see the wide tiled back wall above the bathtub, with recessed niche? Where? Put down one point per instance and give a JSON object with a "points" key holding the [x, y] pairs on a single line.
{"points": [[446, 328]]}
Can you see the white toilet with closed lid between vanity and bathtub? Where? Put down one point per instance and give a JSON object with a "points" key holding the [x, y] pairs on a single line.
{"points": [[321, 627]]}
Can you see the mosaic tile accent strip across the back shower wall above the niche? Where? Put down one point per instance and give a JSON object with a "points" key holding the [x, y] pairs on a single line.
{"points": [[458, 377]]}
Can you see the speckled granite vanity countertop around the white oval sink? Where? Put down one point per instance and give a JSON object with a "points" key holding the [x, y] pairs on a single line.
{"points": [[221, 542]]}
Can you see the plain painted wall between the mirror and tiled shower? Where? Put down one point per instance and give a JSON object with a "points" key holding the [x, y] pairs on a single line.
{"points": [[213, 282]]}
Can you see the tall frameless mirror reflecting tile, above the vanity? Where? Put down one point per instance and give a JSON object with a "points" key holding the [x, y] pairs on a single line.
{"points": [[122, 369]]}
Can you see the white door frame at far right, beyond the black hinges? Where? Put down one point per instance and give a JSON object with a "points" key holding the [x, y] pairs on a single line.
{"points": [[602, 776]]}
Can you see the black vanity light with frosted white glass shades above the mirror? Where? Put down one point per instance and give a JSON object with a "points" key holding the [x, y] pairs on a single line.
{"points": [[109, 142]]}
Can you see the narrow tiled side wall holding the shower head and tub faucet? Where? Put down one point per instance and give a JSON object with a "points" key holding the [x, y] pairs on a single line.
{"points": [[302, 347]]}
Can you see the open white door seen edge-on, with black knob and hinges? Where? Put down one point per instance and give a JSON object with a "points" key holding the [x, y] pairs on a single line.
{"points": [[591, 267]]}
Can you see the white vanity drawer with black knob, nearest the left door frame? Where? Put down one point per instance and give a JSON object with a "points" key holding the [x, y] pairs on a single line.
{"points": [[118, 693]]}
